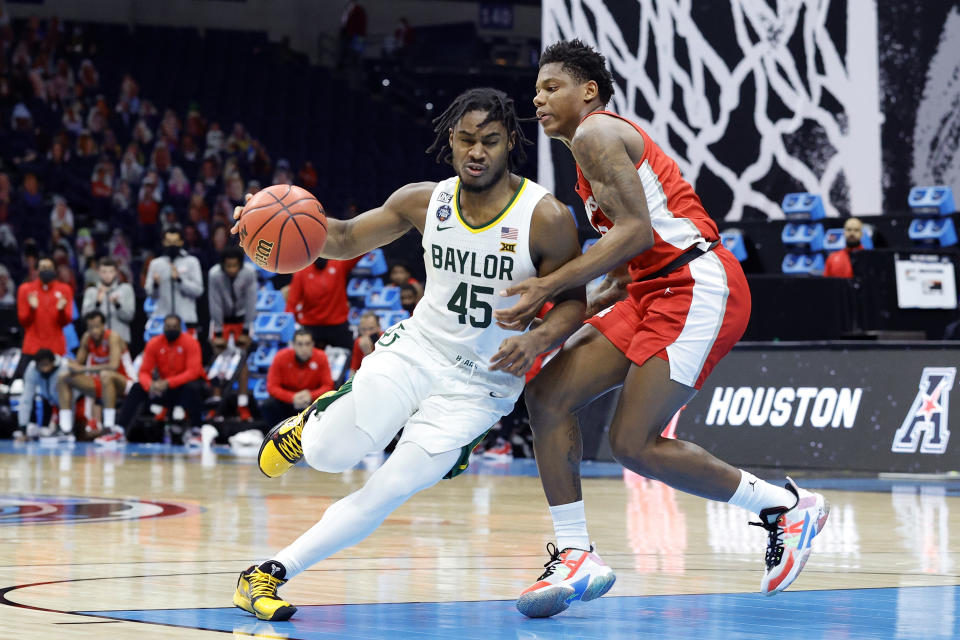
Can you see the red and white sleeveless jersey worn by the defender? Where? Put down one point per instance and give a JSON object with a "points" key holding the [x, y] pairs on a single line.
{"points": [[678, 218]]}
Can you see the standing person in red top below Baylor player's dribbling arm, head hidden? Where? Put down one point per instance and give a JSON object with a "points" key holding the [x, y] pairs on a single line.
{"points": [[318, 299]]}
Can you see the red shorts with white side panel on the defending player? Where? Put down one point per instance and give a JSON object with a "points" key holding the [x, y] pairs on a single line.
{"points": [[691, 317]]}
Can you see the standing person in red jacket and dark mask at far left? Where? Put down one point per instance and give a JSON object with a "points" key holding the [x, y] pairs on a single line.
{"points": [[44, 308]]}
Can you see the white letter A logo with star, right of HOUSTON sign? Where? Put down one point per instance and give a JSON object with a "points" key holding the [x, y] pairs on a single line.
{"points": [[928, 414]]}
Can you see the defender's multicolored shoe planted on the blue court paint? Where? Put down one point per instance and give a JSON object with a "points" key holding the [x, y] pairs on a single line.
{"points": [[571, 574]]}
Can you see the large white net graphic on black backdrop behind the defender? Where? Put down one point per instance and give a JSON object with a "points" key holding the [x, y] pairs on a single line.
{"points": [[811, 123]]}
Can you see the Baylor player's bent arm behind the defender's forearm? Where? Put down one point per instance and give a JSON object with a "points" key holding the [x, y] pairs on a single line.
{"points": [[554, 242]]}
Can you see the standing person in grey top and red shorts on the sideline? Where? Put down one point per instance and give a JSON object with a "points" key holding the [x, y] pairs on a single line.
{"points": [[232, 295]]}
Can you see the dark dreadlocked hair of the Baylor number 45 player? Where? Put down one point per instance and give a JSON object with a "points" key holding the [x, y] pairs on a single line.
{"points": [[499, 107]]}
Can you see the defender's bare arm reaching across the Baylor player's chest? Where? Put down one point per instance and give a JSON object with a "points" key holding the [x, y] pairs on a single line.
{"points": [[605, 162]]}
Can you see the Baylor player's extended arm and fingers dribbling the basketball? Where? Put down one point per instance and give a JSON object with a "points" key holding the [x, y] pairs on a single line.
{"points": [[405, 208]]}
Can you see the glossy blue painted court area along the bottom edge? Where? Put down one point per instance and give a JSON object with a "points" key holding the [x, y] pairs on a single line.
{"points": [[908, 613]]}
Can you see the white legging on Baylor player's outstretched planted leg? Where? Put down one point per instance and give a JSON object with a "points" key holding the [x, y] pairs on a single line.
{"points": [[348, 521]]}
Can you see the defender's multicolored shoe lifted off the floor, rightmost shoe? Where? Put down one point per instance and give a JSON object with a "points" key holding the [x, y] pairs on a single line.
{"points": [[791, 533]]}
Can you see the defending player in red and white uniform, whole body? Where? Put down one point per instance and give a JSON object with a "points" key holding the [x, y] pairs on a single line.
{"points": [[675, 303]]}
